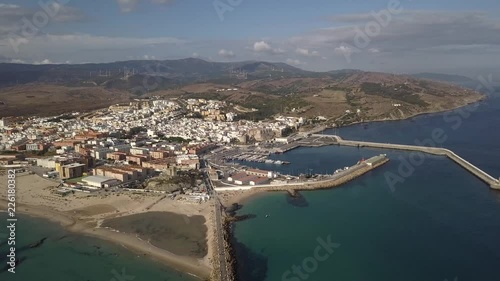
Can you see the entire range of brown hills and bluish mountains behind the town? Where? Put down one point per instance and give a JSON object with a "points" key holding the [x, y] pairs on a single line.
{"points": [[273, 88]]}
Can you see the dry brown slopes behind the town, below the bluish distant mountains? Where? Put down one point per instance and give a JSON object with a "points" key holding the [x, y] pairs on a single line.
{"points": [[374, 94]]}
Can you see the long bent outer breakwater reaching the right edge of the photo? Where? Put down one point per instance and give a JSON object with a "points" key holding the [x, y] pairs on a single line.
{"points": [[485, 177]]}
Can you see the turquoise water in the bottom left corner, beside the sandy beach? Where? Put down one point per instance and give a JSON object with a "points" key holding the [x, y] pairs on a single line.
{"points": [[65, 256]]}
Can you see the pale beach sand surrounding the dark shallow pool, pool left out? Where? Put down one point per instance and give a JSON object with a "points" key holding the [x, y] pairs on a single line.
{"points": [[83, 213]]}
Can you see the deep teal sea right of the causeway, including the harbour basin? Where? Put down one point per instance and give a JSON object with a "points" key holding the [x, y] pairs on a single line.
{"points": [[417, 218]]}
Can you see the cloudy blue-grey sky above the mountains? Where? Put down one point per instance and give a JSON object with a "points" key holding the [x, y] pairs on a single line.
{"points": [[398, 36]]}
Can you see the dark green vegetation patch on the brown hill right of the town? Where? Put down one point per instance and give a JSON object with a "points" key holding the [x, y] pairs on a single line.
{"points": [[398, 92]]}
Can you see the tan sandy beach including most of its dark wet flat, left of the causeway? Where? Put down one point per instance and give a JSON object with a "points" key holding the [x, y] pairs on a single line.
{"points": [[84, 213]]}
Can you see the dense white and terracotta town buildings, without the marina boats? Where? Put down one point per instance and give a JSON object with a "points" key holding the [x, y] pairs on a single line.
{"points": [[130, 142]]}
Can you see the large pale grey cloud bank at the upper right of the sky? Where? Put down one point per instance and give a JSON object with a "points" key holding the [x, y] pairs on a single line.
{"points": [[409, 31]]}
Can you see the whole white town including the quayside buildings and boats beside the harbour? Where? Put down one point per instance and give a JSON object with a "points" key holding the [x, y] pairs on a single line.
{"points": [[153, 145]]}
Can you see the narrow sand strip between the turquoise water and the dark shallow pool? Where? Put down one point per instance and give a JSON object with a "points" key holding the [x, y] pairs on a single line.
{"points": [[188, 265]]}
